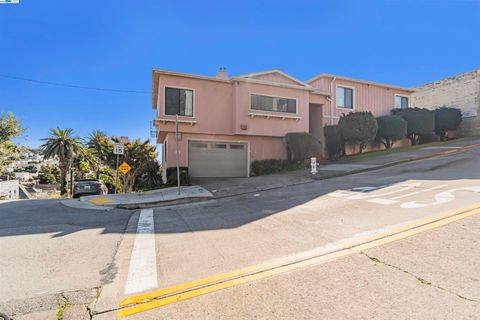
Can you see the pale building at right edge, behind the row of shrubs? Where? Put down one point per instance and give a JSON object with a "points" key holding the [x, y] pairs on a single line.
{"points": [[461, 91]]}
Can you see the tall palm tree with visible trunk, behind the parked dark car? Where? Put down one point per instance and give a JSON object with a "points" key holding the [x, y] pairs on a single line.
{"points": [[61, 144]]}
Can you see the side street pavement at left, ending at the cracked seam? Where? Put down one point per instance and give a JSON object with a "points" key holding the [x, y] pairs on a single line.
{"points": [[48, 250]]}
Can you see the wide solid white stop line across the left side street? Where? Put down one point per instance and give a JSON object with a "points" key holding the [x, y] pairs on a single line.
{"points": [[142, 272]]}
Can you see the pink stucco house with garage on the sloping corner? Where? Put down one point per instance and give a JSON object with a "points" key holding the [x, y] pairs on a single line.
{"points": [[225, 123]]}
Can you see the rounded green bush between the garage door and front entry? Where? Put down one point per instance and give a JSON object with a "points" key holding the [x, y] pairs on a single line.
{"points": [[302, 145]]}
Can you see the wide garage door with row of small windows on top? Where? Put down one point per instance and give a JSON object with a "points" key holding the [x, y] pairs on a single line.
{"points": [[217, 159]]}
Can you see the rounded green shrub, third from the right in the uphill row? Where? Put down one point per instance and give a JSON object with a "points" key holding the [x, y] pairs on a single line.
{"points": [[390, 129]]}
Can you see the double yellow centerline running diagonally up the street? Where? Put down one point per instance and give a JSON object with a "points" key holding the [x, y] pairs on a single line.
{"points": [[192, 289]]}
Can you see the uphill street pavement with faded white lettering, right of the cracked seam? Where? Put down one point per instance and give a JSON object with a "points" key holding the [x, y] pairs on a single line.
{"points": [[207, 240]]}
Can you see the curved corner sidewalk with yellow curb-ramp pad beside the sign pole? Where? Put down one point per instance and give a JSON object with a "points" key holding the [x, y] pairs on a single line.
{"points": [[154, 198]]}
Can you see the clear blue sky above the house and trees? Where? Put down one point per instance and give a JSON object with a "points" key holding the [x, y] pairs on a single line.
{"points": [[114, 44]]}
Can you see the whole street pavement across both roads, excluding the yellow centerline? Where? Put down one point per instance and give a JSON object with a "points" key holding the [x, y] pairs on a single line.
{"points": [[49, 249]]}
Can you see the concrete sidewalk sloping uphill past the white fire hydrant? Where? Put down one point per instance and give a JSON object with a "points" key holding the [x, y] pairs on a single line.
{"points": [[226, 187]]}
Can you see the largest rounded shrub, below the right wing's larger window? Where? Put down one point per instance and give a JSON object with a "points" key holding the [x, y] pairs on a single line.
{"points": [[358, 128]]}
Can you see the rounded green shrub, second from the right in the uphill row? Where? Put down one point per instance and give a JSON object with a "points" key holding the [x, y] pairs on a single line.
{"points": [[420, 122]]}
